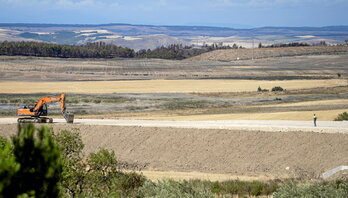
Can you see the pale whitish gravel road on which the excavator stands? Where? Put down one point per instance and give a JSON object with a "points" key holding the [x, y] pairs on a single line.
{"points": [[250, 125]]}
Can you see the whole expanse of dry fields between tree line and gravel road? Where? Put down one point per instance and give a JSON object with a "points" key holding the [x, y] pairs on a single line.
{"points": [[182, 90]]}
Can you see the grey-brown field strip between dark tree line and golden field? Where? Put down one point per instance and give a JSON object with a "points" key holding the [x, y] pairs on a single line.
{"points": [[272, 68]]}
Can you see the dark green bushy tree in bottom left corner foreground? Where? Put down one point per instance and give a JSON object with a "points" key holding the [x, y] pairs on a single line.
{"points": [[40, 166]]}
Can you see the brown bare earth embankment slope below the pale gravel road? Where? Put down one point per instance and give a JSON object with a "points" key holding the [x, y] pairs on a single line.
{"points": [[238, 152]]}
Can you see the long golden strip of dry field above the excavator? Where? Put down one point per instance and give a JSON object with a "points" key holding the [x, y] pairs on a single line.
{"points": [[162, 86]]}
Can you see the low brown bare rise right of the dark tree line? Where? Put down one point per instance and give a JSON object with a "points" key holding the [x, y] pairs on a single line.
{"points": [[245, 54]]}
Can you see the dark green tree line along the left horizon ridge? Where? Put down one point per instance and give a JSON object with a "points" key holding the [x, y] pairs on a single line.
{"points": [[103, 50]]}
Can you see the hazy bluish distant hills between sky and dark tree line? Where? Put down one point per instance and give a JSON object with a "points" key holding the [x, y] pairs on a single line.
{"points": [[150, 36]]}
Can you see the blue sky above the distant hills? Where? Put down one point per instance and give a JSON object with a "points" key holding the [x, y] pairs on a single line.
{"points": [[228, 13]]}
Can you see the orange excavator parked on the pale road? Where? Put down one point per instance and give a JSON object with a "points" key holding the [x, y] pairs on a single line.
{"points": [[37, 112]]}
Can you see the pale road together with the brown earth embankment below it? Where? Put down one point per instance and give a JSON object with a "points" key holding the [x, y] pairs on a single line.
{"points": [[214, 150]]}
